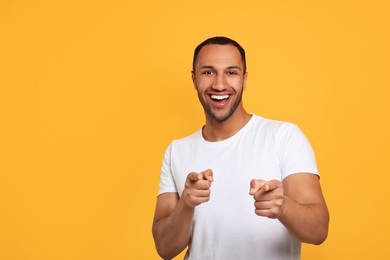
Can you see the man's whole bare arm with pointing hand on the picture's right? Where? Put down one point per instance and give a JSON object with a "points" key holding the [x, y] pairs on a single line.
{"points": [[298, 203]]}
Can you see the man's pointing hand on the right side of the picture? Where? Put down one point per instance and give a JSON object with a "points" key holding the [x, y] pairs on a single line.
{"points": [[269, 197]]}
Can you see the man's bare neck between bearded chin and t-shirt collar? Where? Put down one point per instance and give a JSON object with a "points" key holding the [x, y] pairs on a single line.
{"points": [[215, 130]]}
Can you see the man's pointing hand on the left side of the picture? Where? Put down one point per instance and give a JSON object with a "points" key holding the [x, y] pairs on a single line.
{"points": [[197, 188]]}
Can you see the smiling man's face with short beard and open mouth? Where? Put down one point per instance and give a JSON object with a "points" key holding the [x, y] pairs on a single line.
{"points": [[219, 80]]}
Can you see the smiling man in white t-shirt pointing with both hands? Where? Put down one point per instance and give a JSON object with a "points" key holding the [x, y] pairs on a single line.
{"points": [[203, 200]]}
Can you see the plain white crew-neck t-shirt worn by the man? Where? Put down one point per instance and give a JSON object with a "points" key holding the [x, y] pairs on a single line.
{"points": [[226, 226]]}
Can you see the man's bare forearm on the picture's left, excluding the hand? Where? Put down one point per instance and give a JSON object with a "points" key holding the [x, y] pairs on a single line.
{"points": [[172, 233]]}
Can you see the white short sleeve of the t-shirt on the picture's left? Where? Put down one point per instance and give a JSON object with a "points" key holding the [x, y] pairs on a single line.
{"points": [[167, 182]]}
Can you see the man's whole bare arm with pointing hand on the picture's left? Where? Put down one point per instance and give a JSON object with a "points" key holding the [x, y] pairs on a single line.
{"points": [[173, 216]]}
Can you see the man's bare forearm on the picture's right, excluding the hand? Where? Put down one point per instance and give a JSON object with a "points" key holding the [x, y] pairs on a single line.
{"points": [[306, 222]]}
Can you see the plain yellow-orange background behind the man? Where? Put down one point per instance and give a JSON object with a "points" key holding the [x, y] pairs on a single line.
{"points": [[92, 92]]}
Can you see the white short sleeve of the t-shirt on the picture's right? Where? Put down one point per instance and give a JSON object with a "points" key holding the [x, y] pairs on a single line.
{"points": [[294, 151]]}
